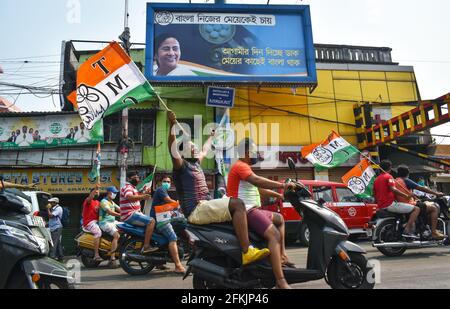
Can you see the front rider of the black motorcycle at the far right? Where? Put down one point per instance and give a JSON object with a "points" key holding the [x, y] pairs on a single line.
{"points": [[406, 185]]}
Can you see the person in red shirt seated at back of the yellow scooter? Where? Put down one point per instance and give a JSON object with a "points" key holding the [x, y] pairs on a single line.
{"points": [[90, 219]]}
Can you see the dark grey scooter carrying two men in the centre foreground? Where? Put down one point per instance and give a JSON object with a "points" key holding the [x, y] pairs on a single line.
{"points": [[216, 260]]}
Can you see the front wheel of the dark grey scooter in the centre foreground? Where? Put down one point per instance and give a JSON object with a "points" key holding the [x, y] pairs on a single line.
{"points": [[340, 277]]}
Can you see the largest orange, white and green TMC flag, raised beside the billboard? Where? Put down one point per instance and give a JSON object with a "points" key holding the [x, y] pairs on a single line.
{"points": [[107, 83]]}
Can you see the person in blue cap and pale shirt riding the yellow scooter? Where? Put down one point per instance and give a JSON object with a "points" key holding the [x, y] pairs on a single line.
{"points": [[107, 220]]}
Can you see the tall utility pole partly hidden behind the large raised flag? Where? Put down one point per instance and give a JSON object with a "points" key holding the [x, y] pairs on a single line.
{"points": [[123, 148]]}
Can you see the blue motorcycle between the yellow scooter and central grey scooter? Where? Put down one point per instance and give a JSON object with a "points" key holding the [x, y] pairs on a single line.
{"points": [[131, 242]]}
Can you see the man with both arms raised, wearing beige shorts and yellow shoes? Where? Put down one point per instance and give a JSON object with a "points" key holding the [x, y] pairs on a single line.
{"points": [[195, 200]]}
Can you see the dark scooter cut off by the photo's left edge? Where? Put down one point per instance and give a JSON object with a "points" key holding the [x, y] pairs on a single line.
{"points": [[24, 245]]}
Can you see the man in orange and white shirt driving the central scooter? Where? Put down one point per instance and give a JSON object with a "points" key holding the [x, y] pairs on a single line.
{"points": [[244, 184]]}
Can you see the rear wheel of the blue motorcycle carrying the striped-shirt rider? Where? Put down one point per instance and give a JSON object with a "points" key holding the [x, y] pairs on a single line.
{"points": [[130, 267]]}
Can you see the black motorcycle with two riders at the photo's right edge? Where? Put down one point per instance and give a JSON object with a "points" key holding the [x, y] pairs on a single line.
{"points": [[388, 228]]}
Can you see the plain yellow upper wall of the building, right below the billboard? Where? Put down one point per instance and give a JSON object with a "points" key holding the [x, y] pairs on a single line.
{"points": [[309, 118]]}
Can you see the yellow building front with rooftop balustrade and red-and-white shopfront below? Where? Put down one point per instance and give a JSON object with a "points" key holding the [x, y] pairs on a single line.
{"points": [[291, 118]]}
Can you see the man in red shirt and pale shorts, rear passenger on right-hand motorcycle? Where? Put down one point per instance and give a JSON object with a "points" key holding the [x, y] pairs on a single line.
{"points": [[385, 191]]}
